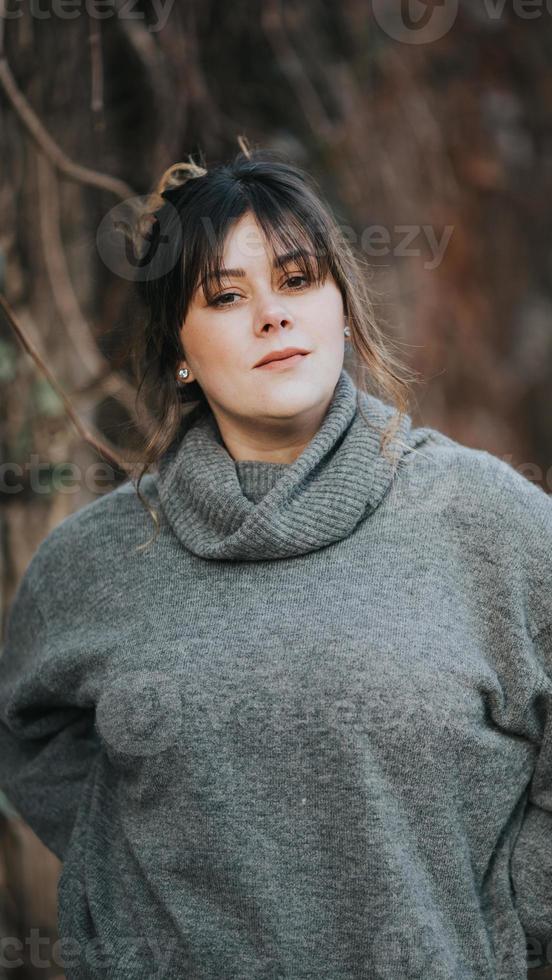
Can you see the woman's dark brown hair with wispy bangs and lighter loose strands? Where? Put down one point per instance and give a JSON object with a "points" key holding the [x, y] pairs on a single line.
{"points": [[193, 224]]}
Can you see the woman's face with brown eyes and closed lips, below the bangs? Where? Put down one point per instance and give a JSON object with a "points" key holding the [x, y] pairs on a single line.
{"points": [[256, 311]]}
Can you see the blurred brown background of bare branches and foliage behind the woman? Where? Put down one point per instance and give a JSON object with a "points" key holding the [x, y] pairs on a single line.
{"points": [[449, 137]]}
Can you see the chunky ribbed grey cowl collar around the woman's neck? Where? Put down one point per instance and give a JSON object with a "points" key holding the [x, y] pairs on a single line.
{"points": [[247, 509]]}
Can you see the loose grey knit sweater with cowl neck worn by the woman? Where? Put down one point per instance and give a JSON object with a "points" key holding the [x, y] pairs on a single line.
{"points": [[306, 733]]}
